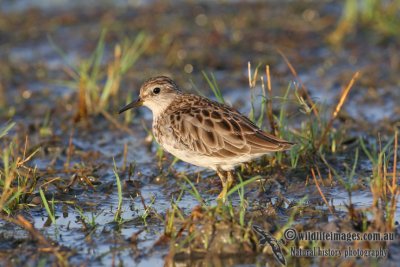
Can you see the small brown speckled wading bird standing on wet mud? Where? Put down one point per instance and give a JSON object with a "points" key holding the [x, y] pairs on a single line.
{"points": [[203, 132]]}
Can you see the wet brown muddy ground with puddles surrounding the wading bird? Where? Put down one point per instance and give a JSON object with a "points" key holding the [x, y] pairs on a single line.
{"points": [[74, 160]]}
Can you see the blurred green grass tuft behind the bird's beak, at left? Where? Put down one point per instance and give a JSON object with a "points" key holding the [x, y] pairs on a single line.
{"points": [[98, 86]]}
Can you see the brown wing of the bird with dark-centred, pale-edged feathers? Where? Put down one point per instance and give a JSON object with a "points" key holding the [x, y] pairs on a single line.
{"points": [[213, 129]]}
